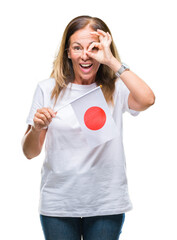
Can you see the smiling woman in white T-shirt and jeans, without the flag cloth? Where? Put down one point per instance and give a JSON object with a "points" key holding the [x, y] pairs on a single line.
{"points": [[83, 190]]}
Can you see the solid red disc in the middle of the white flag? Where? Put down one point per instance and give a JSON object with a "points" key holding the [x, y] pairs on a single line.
{"points": [[94, 118]]}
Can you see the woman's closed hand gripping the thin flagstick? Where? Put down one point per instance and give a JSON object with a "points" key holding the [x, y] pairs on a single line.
{"points": [[43, 118]]}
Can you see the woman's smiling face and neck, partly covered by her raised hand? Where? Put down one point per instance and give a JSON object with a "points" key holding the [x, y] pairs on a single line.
{"points": [[85, 68]]}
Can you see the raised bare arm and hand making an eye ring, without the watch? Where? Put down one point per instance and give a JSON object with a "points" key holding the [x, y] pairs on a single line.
{"points": [[141, 96]]}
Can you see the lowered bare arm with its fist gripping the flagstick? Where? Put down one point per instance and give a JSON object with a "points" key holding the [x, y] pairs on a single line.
{"points": [[34, 137]]}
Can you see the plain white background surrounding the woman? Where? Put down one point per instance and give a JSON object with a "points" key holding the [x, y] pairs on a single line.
{"points": [[145, 35]]}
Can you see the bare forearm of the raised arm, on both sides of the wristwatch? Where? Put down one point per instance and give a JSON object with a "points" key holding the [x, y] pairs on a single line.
{"points": [[140, 91]]}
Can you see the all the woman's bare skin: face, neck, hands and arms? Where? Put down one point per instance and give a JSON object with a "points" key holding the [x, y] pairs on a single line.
{"points": [[88, 47]]}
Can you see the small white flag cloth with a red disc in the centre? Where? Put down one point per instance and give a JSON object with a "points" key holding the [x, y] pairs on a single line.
{"points": [[94, 117]]}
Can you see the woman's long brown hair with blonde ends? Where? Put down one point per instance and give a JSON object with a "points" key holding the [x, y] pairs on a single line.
{"points": [[62, 66]]}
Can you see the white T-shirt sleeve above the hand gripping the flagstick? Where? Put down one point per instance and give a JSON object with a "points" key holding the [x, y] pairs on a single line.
{"points": [[37, 103]]}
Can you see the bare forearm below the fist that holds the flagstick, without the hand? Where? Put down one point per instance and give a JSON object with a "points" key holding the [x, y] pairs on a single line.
{"points": [[31, 143]]}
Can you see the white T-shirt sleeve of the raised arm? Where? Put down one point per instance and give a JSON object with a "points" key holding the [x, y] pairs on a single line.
{"points": [[125, 94]]}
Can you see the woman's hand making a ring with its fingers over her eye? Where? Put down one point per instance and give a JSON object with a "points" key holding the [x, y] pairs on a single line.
{"points": [[101, 51]]}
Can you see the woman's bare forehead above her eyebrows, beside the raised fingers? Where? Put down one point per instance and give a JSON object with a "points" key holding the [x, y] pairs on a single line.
{"points": [[84, 36]]}
